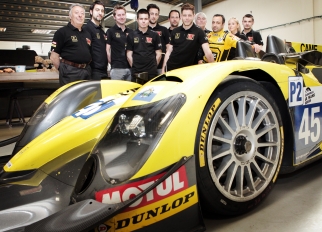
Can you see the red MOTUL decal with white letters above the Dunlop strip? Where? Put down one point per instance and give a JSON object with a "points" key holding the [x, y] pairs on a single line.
{"points": [[175, 183]]}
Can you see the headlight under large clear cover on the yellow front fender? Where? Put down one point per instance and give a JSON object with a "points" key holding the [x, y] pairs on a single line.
{"points": [[133, 135]]}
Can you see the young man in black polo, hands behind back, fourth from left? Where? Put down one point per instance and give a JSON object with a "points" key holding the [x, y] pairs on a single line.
{"points": [[143, 47]]}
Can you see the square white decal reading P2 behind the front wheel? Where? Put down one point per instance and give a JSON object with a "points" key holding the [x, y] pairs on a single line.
{"points": [[295, 91]]}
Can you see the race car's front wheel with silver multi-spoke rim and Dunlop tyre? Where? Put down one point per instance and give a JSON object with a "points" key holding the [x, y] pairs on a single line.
{"points": [[239, 145]]}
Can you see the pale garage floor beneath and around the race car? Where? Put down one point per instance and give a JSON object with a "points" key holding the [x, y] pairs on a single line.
{"points": [[294, 205]]}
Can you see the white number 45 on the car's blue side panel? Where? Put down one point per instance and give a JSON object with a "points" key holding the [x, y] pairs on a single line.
{"points": [[310, 127]]}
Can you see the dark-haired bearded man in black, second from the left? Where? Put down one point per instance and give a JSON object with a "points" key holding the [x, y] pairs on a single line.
{"points": [[98, 38]]}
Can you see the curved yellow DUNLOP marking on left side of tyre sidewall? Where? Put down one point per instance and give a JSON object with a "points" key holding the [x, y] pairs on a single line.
{"points": [[204, 131]]}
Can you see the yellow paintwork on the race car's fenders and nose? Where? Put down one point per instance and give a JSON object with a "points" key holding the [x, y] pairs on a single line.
{"points": [[198, 83]]}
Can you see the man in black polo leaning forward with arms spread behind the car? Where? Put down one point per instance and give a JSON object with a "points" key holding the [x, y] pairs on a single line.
{"points": [[185, 42]]}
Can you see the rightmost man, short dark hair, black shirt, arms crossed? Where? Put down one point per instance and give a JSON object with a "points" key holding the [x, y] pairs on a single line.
{"points": [[251, 35]]}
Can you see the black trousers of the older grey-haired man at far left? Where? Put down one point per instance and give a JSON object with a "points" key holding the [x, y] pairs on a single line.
{"points": [[68, 73]]}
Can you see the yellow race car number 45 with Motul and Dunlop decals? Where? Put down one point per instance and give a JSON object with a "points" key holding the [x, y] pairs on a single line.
{"points": [[212, 138]]}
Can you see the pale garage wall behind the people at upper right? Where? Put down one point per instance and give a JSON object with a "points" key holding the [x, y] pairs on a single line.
{"points": [[269, 14]]}
